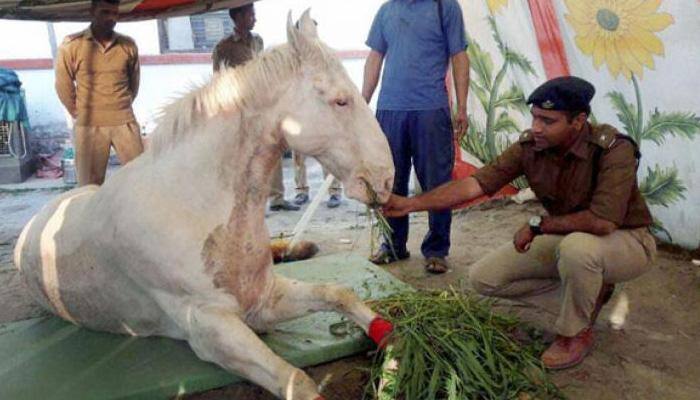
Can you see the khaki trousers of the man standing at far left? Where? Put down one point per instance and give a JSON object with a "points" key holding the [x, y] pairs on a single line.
{"points": [[92, 145]]}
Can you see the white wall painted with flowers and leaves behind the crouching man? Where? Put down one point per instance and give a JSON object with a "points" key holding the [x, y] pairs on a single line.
{"points": [[637, 53]]}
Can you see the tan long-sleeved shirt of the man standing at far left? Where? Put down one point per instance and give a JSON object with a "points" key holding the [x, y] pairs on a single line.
{"points": [[97, 84]]}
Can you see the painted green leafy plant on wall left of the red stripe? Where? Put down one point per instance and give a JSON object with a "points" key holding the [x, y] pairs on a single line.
{"points": [[487, 141]]}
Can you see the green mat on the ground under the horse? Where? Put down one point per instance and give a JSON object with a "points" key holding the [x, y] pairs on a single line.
{"points": [[47, 358]]}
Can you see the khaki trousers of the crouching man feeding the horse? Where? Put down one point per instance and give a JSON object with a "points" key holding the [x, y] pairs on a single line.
{"points": [[578, 262]]}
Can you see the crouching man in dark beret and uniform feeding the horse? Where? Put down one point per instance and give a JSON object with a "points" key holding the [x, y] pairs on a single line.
{"points": [[596, 231]]}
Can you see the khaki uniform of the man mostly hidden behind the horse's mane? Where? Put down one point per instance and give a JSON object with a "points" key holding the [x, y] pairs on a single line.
{"points": [[236, 50]]}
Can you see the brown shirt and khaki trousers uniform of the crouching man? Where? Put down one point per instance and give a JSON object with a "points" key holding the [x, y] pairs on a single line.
{"points": [[597, 174]]}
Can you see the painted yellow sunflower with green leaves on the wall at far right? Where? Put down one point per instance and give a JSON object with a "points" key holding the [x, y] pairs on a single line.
{"points": [[622, 35]]}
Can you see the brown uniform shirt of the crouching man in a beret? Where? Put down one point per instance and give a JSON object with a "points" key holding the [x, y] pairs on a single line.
{"points": [[568, 184]]}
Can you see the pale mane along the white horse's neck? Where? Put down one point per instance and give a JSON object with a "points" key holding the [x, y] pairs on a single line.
{"points": [[233, 90]]}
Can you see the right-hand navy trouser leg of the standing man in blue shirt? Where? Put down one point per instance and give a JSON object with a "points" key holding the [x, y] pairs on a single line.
{"points": [[432, 147]]}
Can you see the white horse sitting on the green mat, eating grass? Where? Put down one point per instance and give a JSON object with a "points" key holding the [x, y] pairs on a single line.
{"points": [[175, 243]]}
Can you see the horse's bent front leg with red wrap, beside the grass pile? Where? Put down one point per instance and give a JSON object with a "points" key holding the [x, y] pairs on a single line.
{"points": [[291, 299]]}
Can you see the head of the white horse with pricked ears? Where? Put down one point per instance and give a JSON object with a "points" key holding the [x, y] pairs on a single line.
{"points": [[324, 116]]}
